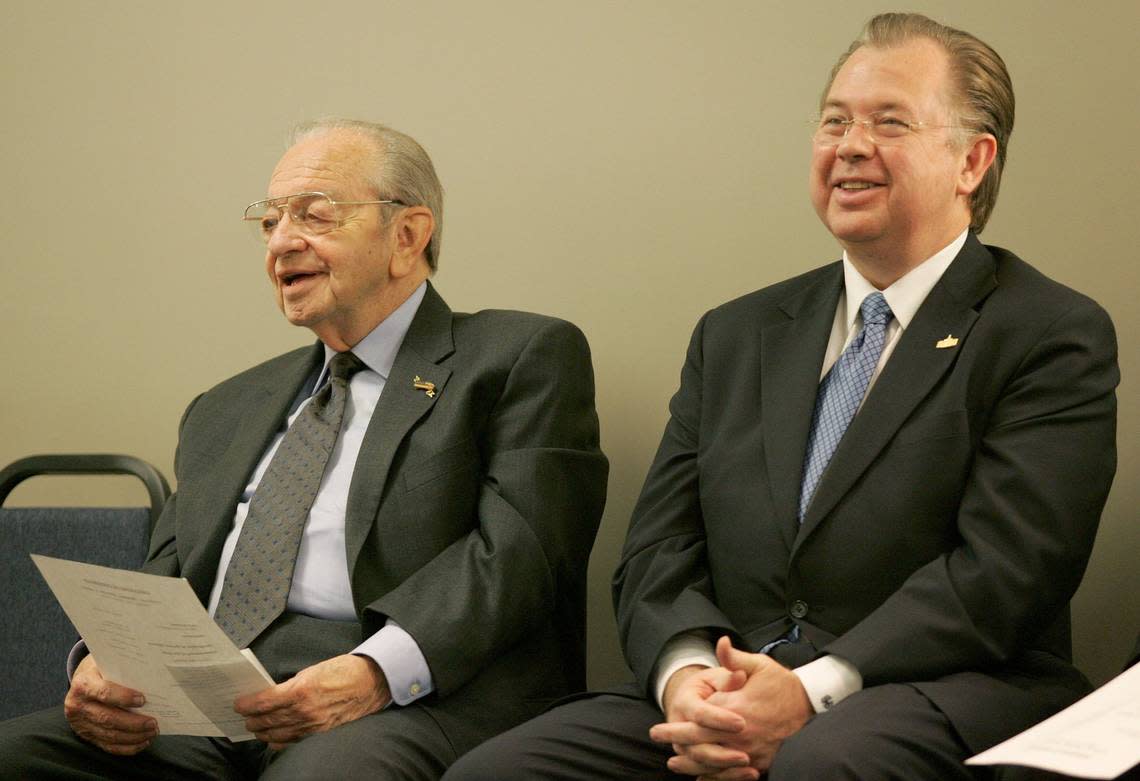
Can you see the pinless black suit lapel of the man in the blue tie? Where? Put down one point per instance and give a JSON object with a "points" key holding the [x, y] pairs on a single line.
{"points": [[792, 354]]}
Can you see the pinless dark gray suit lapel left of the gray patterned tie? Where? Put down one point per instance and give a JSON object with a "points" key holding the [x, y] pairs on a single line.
{"points": [[262, 417]]}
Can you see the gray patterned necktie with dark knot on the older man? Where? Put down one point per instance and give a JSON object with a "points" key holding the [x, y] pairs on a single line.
{"points": [[260, 573]]}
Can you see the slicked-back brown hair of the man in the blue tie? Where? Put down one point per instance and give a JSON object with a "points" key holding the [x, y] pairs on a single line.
{"points": [[984, 103]]}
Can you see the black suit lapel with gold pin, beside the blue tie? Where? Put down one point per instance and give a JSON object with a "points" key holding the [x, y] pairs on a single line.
{"points": [[914, 369]]}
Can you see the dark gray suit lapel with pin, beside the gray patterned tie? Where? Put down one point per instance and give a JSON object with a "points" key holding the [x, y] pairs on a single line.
{"points": [[429, 340]]}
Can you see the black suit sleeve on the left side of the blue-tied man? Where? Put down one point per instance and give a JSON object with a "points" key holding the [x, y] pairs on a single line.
{"points": [[663, 587]]}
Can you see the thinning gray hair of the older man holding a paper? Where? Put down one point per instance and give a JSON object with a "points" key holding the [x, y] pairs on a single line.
{"points": [[404, 172]]}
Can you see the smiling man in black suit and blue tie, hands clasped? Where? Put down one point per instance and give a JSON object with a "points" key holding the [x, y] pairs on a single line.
{"points": [[881, 482]]}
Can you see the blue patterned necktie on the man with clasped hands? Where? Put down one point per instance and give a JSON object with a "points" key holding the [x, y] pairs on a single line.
{"points": [[842, 392]]}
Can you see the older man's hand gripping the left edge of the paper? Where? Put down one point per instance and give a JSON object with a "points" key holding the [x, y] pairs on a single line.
{"points": [[100, 712]]}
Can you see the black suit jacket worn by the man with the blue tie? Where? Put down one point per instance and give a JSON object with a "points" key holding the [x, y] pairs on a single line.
{"points": [[956, 519]]}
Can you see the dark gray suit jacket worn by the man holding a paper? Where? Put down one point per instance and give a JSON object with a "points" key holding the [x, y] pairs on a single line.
{"points": [[470, 517]]}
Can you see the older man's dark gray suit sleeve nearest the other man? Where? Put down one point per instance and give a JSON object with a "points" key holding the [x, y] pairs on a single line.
{"points": [[539, 508]]}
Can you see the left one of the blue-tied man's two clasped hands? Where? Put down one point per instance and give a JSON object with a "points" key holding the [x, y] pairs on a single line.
{"points": [[698, 729]]}
